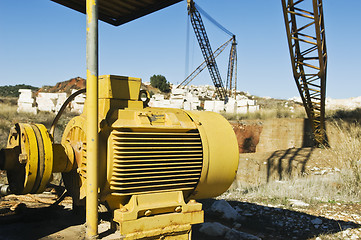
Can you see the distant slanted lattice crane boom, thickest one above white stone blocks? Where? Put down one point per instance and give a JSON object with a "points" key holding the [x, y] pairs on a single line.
{"points": [[206, 49]]}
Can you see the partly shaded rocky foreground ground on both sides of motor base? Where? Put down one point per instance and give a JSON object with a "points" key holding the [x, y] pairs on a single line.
{"points": [[33, 217]]}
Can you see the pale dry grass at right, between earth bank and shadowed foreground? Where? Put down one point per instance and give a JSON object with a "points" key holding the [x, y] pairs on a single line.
{"points": [[343, 186]]}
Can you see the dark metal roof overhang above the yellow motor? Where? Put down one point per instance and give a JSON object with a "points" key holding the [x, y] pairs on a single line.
{"points": [[117, 12]]}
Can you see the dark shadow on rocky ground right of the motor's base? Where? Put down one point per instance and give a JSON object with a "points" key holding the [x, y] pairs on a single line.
{"points": [[274, 223]]}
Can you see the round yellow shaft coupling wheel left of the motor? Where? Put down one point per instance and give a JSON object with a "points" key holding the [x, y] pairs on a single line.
{"points": [[34, 165]]}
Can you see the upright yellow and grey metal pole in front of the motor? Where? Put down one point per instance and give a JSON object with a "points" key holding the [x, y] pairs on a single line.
{"points": [[92, 118]]}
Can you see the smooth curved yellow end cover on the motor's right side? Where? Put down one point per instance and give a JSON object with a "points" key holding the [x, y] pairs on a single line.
{"points": [[221, 154]]}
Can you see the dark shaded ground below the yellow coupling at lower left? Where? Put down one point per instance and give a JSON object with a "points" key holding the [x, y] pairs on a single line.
{"points": [[39, 223]]}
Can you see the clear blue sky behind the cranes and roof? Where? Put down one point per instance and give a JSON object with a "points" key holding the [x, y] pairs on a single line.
{"points": [[42, 43]]}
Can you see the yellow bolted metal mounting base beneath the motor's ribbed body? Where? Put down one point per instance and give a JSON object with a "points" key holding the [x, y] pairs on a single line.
{"points": [[160, 214]]}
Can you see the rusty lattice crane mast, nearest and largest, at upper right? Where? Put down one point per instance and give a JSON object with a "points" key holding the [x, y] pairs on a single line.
{"points": [[307, 45]]}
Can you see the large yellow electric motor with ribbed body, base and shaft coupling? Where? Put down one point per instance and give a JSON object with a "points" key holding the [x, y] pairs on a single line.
{"points": [[153, 162]]}
